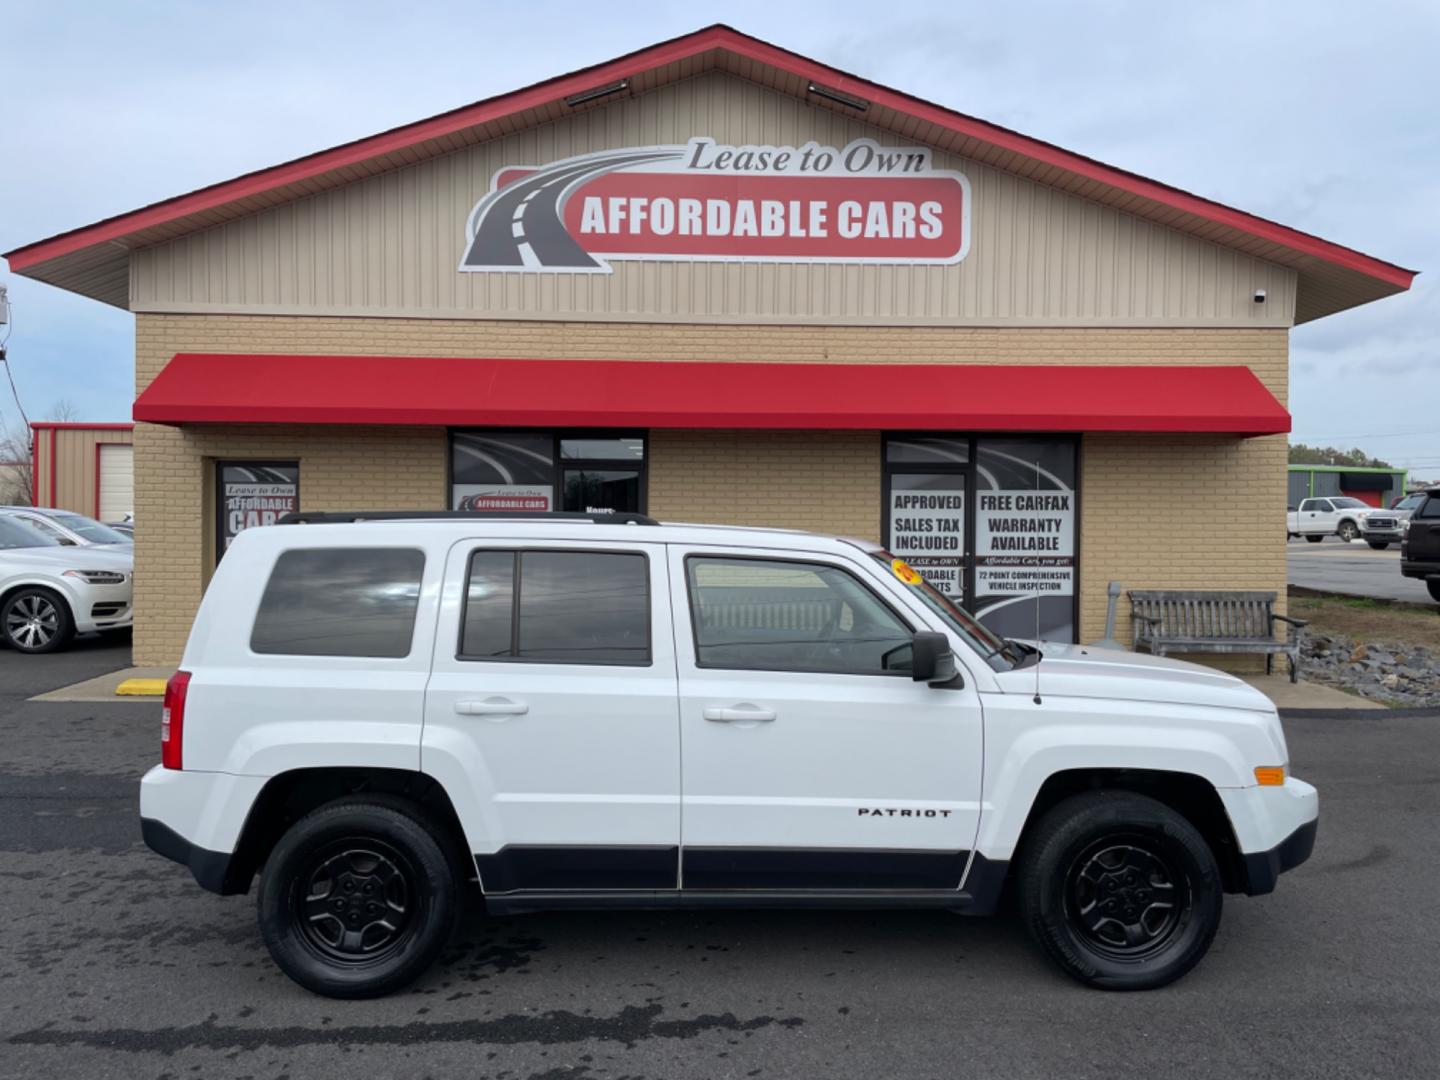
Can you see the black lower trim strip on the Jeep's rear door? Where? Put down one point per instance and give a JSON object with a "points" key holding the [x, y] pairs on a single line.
{"points": [[588, 869]]}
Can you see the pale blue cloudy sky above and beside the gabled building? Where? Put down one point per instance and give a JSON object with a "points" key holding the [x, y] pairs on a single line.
{"points": [[1321, 116]]}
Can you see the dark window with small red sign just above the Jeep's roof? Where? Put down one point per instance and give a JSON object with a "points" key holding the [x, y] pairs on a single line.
{"points": [[539, 472]]}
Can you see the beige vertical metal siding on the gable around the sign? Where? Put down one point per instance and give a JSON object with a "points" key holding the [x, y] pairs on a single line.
{"points": [[391, 244]]}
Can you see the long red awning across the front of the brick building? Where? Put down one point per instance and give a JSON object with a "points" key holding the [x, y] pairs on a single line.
{"points": [[627, 394]]}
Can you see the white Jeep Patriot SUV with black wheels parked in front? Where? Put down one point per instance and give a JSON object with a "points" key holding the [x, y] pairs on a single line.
{"points": [[388, 716]]}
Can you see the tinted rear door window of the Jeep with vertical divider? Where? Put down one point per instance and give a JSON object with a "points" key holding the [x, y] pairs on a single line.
{"points": [[555, 607]]}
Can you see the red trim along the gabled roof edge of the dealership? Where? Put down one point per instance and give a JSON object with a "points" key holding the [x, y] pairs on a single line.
{"points": [[667, 53]]}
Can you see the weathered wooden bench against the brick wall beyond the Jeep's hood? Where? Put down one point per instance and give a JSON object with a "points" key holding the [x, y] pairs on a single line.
{"points": [[1212, 621]]}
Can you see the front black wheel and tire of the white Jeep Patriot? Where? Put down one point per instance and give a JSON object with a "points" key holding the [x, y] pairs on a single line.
{"points": [[1125, 850]]}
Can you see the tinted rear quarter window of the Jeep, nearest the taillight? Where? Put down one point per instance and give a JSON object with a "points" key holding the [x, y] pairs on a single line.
{"points": [[341, 603]]}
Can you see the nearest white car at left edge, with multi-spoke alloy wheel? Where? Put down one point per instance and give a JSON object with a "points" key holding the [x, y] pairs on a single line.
{"points": [[51, 591]]}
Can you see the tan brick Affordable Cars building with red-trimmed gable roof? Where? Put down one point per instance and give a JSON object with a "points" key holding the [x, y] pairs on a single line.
{"points": [[718, 282]]}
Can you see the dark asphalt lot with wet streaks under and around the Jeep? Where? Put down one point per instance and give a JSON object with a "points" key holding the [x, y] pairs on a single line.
{"points": [[116, 964]]}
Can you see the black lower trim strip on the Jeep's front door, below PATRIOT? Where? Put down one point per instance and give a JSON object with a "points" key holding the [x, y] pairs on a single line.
{"points": [[823, 869]]}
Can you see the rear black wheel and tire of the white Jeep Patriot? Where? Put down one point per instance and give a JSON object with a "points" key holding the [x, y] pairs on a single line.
{"points": [[394, 934]]}
